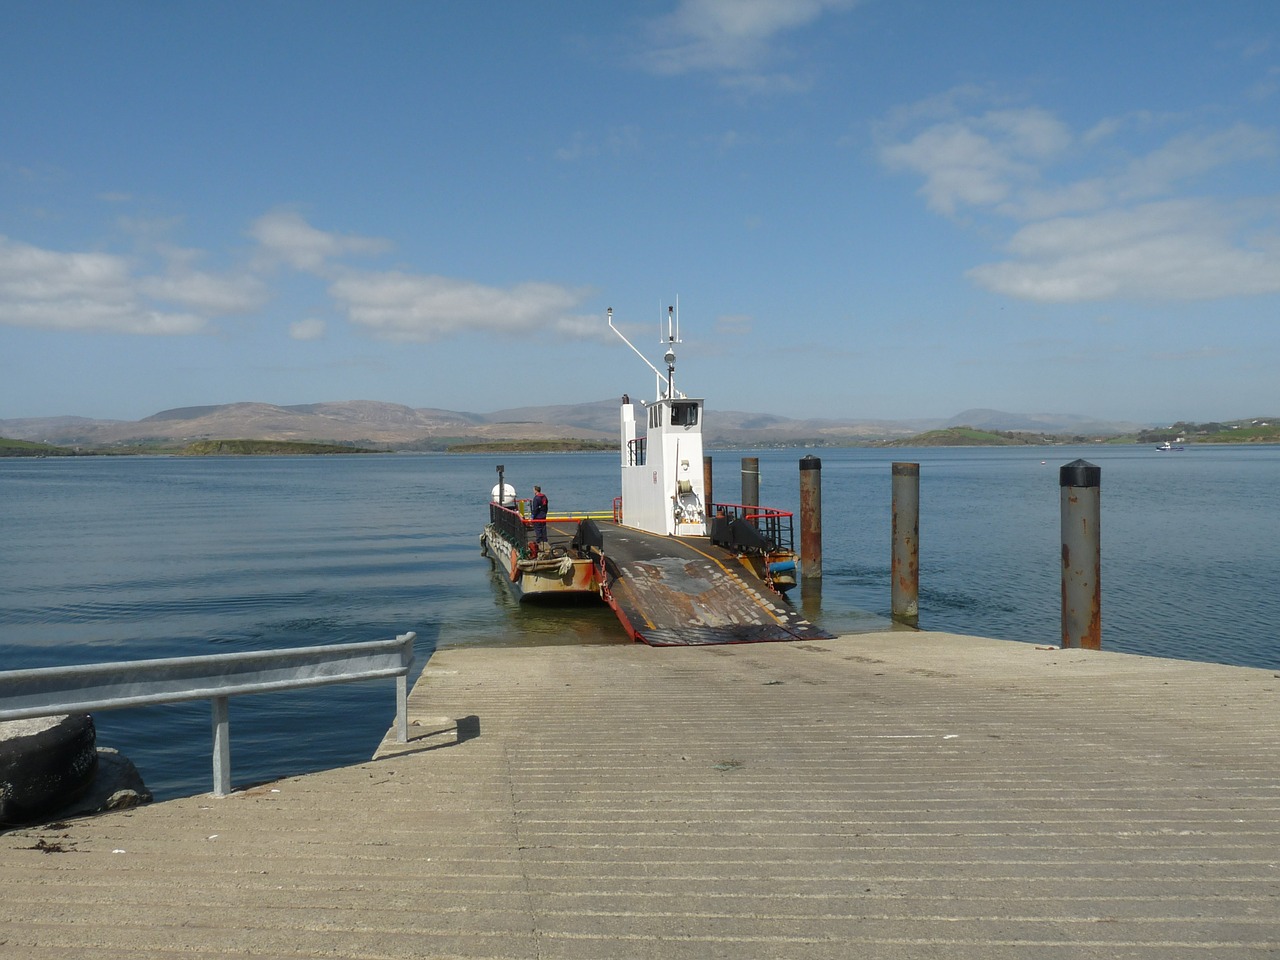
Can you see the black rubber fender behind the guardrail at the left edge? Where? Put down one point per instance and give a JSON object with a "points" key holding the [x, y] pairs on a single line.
{"points": [[45, 765]]}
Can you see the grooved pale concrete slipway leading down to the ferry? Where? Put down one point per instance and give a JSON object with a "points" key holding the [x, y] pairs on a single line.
{"points": [[884, 796]]}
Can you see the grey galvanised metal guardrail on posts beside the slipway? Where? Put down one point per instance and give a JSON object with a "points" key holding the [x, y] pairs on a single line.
{"points": [[52, 692]]}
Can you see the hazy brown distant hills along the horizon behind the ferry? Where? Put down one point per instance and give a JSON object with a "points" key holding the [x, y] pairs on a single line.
{"points": [[396, 427]]}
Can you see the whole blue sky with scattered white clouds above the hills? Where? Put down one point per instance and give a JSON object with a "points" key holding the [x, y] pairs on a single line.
{"points": [[865, 209]]}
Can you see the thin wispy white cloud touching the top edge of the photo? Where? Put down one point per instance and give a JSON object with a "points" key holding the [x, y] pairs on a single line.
{"points": [[734, 39]]}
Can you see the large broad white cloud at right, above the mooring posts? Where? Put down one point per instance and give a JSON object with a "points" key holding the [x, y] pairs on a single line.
{"points": [[1091, 222]]}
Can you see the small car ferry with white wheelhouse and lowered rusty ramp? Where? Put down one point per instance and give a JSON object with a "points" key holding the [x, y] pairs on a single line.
{"points": [[664, 545]]}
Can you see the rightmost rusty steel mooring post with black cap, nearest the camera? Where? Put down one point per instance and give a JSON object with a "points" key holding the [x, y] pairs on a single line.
{"points": [[1082, 555]]}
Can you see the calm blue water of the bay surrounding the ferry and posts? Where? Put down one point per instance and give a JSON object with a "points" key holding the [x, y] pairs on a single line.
{"points": [[132, 559]]}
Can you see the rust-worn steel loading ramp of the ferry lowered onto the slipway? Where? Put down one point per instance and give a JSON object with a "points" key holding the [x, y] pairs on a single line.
{"points": [[680, 592]]}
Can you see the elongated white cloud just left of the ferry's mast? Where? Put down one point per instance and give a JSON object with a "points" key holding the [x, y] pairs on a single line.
{"points": [[400, 307]]}
